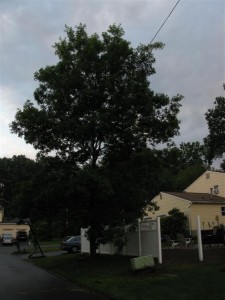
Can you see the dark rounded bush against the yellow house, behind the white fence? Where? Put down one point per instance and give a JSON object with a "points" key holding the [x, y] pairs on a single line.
{"points": [[174, 223]]}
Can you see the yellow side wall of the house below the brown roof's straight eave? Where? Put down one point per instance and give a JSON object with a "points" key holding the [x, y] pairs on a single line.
{"points": [[210, 215]]}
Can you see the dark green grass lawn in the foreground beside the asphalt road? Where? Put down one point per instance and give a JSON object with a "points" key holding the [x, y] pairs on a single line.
{"points": [[112, 276]]}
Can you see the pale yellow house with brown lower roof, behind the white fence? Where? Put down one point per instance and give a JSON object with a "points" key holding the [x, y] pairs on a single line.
{"points": [[204, 197]]}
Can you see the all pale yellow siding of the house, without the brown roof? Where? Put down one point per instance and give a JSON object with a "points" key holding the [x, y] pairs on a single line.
{"points": [[210, 214]]}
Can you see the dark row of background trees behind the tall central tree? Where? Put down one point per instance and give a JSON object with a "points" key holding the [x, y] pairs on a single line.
{"points": [[57, 197]]}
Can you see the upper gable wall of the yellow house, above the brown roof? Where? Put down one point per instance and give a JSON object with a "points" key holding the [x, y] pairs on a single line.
{"points": [[208, 180]]}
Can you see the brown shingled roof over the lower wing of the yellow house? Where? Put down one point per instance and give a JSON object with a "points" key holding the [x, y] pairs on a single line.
{"points": [[199, 198]]}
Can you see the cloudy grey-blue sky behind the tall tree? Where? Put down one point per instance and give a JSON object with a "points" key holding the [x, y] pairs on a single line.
{"points": [[192, 62]]}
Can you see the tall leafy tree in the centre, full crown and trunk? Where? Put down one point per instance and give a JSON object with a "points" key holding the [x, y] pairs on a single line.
{"points": [[95, 108]]}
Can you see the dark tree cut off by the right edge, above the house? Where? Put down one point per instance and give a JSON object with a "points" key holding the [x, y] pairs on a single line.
{"points": [[215, 141]]}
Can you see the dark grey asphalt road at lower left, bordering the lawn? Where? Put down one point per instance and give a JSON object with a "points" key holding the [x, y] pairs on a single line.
{"points": [[21, 280]]}
